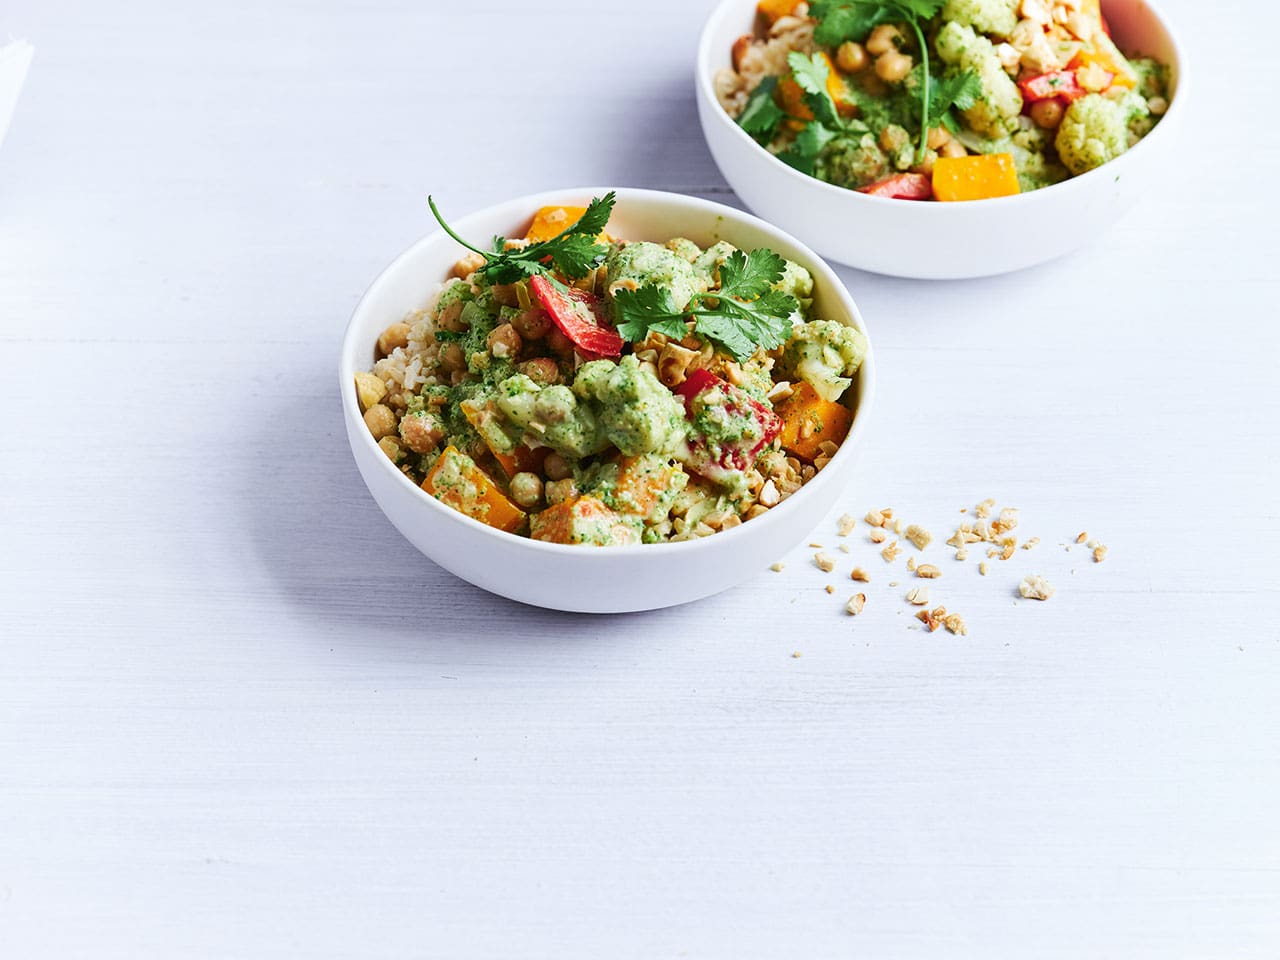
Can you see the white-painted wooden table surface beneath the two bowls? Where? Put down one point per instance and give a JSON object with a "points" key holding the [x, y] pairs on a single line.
{"points": [[240, 717]]}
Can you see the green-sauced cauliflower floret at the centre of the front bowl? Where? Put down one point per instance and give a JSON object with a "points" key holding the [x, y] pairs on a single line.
{"points": [[637, 413]]}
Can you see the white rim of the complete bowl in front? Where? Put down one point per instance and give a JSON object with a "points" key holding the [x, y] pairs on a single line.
{"points": [[355, 348]]}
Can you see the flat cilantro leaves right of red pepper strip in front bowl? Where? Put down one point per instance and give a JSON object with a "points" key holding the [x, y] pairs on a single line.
{"points": [[746, 314]]}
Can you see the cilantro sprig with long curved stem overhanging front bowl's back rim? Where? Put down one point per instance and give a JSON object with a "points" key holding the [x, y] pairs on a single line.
{"points": [[574, 253]]}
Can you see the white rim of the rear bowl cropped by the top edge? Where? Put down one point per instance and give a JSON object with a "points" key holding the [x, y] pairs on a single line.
{"points": [[706, 80]]}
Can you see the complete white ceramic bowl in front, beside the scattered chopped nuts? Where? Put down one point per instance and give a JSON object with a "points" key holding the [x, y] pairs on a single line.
{"points": [[592, 579]]}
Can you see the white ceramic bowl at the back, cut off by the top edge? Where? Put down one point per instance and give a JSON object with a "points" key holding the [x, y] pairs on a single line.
{"points": [[927, 240]]}
